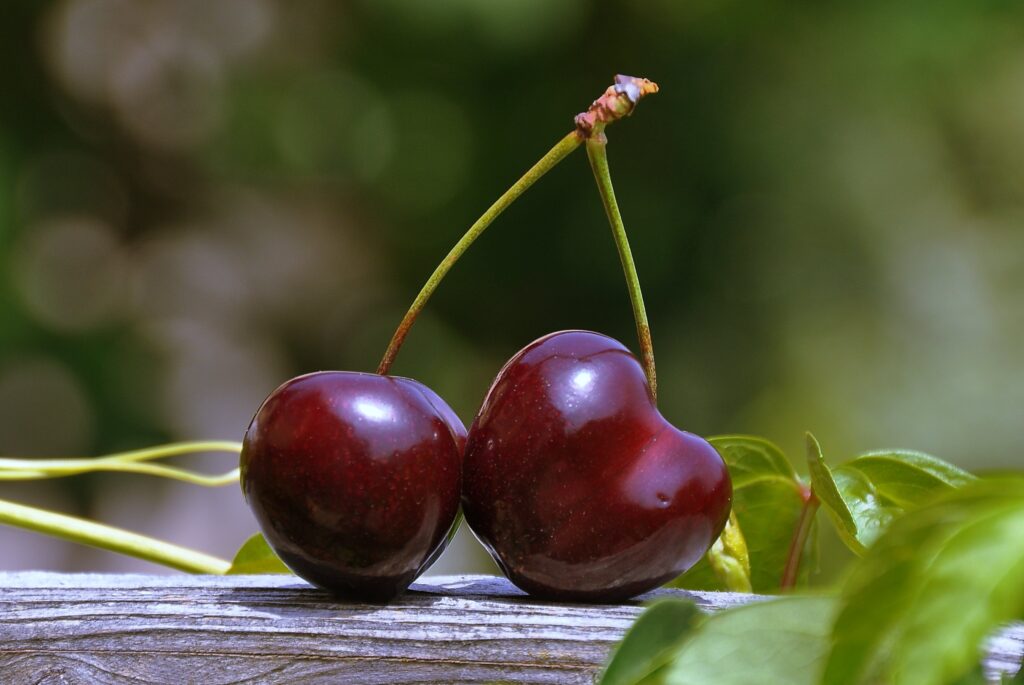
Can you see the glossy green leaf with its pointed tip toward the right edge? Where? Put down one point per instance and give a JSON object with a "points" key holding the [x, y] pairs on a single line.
{"points": [[879, 488]]}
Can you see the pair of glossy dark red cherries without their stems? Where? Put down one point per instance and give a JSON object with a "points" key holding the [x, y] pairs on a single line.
{"points": [[570, 477]]}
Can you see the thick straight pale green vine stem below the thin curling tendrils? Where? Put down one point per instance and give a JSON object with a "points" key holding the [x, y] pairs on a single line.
{"points": [[109, 538]]}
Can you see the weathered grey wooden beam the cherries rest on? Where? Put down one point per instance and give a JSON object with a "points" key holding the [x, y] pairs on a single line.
{"points": [[211, 630]]}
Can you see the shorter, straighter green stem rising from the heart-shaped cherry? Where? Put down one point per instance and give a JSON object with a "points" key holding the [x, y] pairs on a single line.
{"points": [[596, 152]]}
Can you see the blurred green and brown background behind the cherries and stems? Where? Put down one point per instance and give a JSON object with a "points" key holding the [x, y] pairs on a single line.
{"points": [[200, 200]]}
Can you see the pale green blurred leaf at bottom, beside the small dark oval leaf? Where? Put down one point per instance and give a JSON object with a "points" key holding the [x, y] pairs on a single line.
{"points": [[782, 641]]}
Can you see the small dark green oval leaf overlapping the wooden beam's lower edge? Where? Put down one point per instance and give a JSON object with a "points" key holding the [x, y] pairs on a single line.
{"points": [[652, 640]]}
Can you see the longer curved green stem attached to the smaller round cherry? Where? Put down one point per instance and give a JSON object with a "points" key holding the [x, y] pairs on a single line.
{"points": [[543, 166]]}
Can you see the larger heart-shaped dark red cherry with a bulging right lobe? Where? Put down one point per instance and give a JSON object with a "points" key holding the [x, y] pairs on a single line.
{"points": [[576, 484]]}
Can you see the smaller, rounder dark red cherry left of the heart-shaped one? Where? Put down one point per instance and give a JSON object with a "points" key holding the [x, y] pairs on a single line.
{"points": [[355, 480]]}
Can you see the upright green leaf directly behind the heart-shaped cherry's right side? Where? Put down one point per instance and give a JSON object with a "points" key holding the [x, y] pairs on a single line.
{"points": [[767, 500]]}
